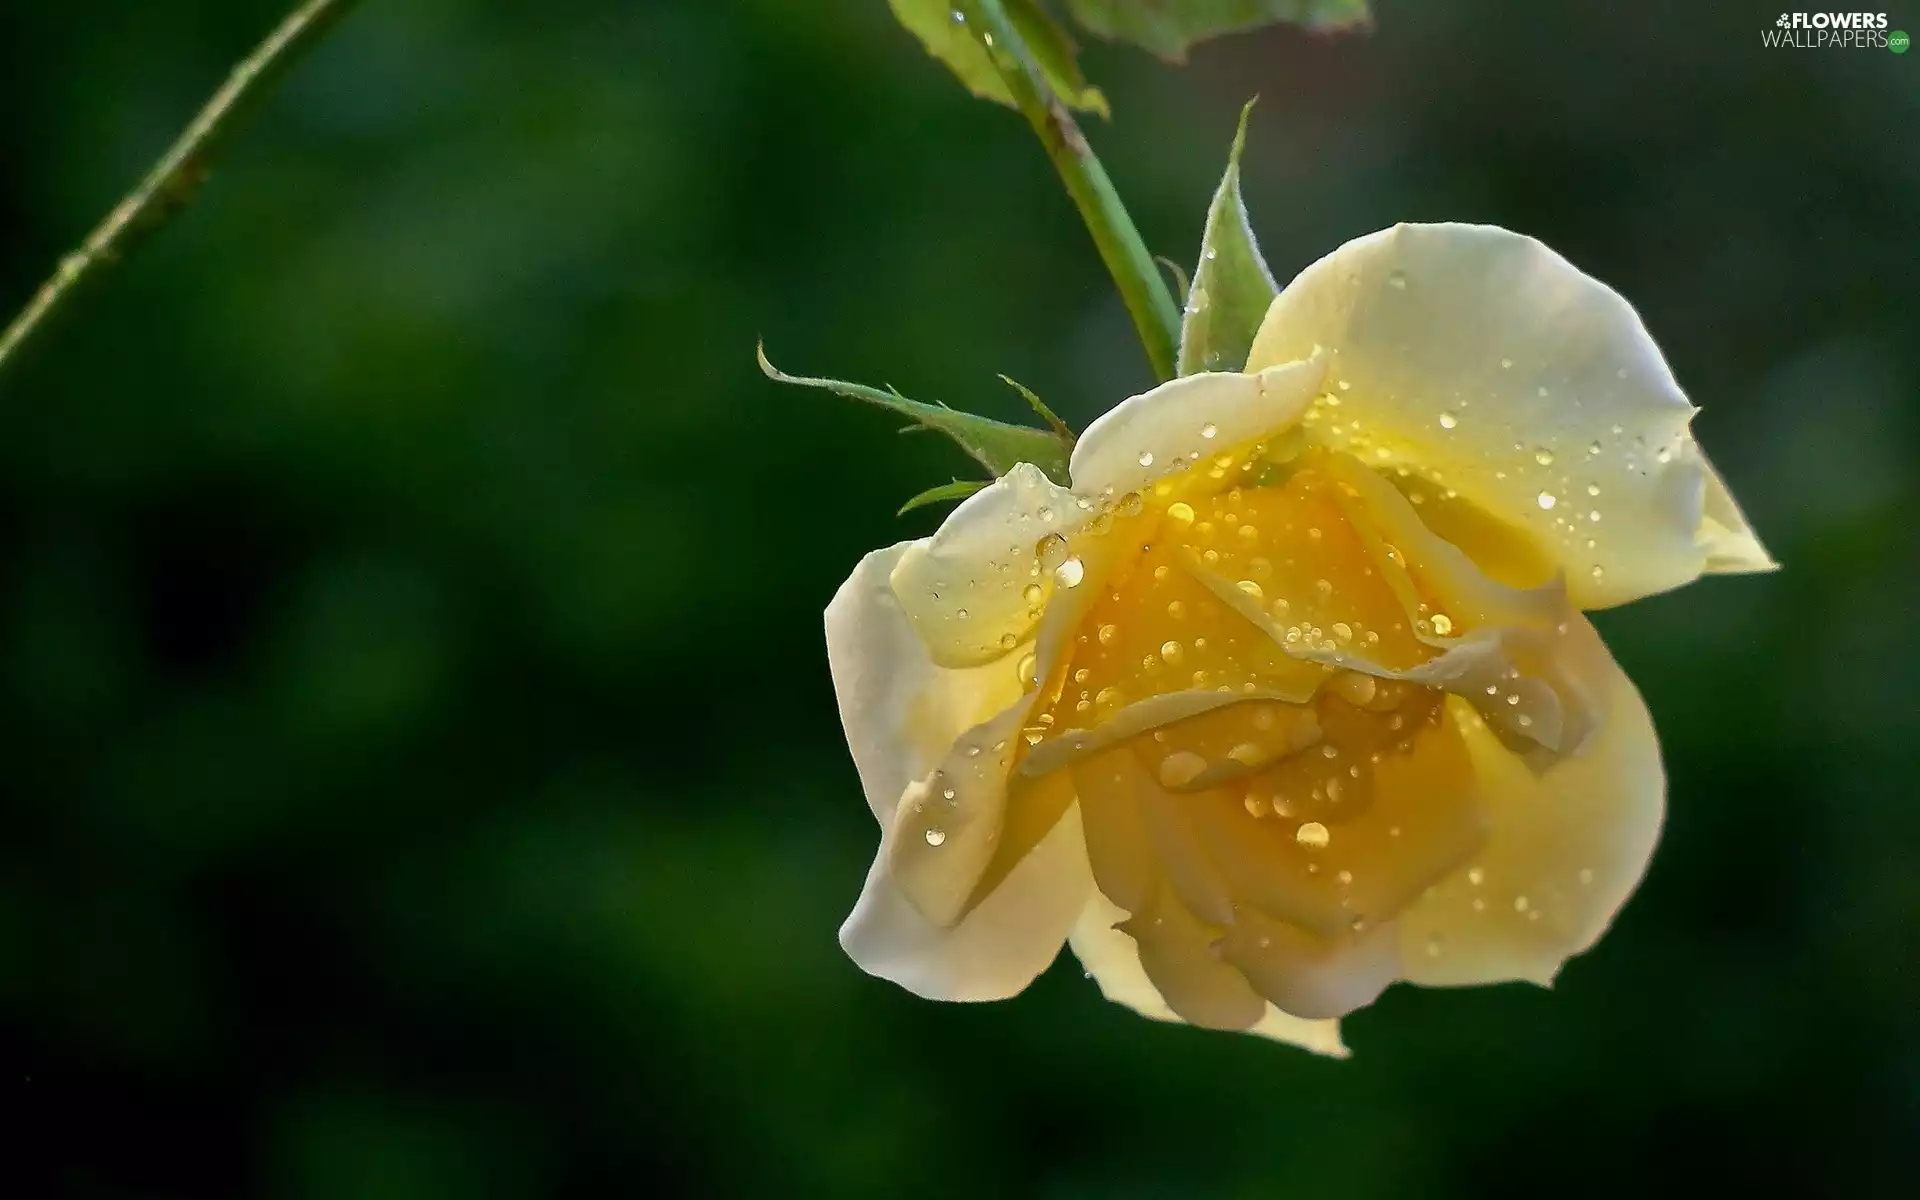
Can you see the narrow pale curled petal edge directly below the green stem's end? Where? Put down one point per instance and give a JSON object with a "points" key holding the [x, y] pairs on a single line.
{"points": [[1168, 423]]}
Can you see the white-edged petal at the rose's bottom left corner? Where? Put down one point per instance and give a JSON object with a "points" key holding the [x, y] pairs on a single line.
{"points": [[992, 953]]}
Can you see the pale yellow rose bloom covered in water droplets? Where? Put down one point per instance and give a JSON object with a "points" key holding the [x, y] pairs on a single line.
{"points": [[1291, 696]]}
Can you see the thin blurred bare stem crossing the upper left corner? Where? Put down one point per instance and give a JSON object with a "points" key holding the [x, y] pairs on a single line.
{"points": [[174, 180]]}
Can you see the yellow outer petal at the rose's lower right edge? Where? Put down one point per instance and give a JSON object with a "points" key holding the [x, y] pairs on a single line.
{"points": [[1564, 852]]}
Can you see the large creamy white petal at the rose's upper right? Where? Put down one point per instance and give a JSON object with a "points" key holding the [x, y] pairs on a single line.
{"points": [[1525, 354]]}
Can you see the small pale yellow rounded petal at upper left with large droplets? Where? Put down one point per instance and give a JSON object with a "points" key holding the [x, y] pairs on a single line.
{"points": [[976, 588]]}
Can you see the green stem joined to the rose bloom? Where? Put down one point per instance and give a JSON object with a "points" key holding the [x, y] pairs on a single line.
{"points": [[1126, 256]]}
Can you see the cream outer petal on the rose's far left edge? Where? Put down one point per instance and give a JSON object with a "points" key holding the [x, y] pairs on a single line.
{"points": [[901, 713]]}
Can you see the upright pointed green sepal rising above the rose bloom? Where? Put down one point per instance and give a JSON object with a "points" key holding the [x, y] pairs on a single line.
{"points": [[1232, 289]]}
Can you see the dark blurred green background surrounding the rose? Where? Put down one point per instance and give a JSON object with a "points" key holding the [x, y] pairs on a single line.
{"points": [[421, 777]]}
